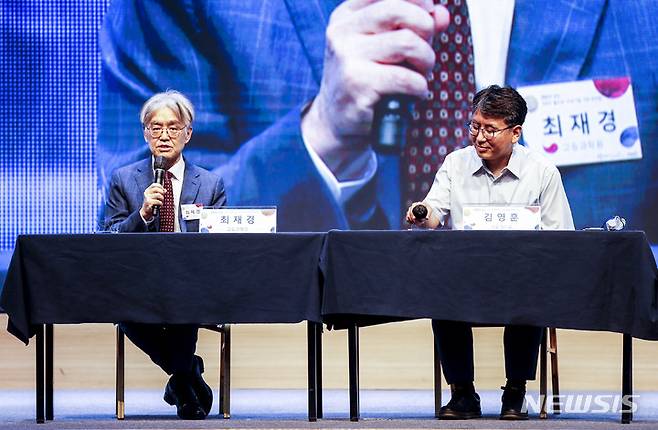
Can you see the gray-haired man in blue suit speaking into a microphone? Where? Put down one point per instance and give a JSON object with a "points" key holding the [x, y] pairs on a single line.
{"points": [[137, 203]]}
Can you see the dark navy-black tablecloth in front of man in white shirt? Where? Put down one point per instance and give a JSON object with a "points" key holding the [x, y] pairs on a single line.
{"points": [[591, 280]]}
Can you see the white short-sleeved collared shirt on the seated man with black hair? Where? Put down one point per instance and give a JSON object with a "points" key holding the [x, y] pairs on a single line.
{"points": [[528, 179]]}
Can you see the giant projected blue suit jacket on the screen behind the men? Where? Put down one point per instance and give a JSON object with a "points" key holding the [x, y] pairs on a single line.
{"points": [[249, 67]]}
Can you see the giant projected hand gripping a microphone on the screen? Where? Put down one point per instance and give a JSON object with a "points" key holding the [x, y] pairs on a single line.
{"points": [[377, 57]]}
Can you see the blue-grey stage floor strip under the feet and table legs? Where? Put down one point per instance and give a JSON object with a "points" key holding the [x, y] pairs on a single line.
{"points": [[287, 409]]}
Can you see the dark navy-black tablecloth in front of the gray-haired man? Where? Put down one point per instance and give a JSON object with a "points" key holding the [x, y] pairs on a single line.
{"points": [[162, 278]]}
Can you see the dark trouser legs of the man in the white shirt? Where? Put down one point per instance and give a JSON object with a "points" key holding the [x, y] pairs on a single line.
{"points": [[454, 342]]}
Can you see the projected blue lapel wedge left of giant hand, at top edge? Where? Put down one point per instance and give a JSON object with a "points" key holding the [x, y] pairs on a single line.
{"points": [[310, 18]]}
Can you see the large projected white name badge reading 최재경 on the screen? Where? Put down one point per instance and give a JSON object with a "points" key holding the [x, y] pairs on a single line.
{"points": [[582, 122]]}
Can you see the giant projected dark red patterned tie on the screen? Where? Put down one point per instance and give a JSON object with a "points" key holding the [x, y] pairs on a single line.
{"points": [[437, 126]]}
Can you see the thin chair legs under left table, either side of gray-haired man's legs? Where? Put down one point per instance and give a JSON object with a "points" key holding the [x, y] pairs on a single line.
{"points": [[224, 369]]}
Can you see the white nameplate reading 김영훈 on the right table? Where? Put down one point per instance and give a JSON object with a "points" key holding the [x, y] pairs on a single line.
{"points": [[511, 217]]}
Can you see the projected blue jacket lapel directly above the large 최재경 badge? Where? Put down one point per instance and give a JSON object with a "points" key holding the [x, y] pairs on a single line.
{"points": [[550, 40]]}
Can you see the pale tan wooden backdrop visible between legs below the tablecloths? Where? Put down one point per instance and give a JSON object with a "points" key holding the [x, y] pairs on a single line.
{"points": [[392, 356]]}
